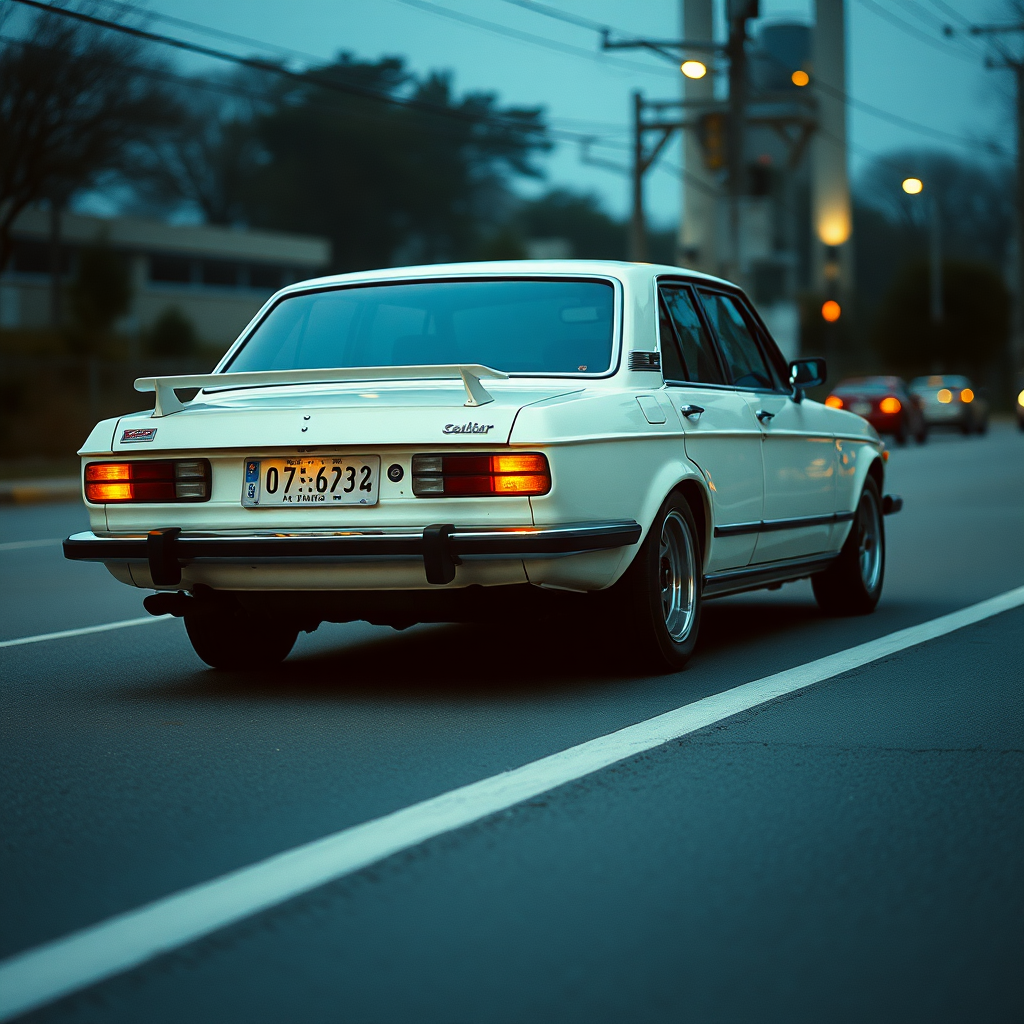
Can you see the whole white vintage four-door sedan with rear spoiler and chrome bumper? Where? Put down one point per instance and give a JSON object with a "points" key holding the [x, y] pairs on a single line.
{"points": [[479, 442]]}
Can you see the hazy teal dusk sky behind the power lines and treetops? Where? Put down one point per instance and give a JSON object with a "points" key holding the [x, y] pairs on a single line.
{"points": [[901, 64]]}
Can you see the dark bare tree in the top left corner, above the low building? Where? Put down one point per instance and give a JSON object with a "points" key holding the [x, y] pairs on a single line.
{"points": [[75, 101]]}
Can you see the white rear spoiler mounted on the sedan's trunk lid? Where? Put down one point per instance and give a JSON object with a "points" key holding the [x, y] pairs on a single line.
{"points": [[168, 402]]}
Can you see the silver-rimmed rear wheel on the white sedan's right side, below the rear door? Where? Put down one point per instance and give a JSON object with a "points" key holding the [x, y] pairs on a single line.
{"points": [[661, 593]]}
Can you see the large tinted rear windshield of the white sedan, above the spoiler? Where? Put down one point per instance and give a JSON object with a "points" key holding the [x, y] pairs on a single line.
{"points": [[529, 326]]}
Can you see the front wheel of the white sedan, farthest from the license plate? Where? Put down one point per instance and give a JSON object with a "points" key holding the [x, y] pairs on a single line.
{"points": [[852, 585]]}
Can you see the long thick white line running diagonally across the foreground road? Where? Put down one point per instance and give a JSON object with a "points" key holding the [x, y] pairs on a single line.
{"points": [[65, 966]]}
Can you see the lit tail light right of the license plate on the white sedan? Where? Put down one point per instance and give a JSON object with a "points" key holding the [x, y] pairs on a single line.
{"points": [[481, 476]]}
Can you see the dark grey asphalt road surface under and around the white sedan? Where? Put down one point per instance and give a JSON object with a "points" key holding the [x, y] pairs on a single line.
{"points": [[855, 851]]}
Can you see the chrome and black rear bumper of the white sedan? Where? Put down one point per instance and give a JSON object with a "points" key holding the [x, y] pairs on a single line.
{"points": [[442, 546]]}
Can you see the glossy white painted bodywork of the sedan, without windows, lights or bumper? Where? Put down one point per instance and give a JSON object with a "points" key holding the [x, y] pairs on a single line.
{"points": [[617, 443]]}
